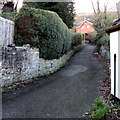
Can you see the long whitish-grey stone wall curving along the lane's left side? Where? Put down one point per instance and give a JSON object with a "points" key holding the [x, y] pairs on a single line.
{"points": [[20, 64]]}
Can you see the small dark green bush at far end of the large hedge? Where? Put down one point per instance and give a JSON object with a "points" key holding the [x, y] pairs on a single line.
{"points": [[76, 39]]}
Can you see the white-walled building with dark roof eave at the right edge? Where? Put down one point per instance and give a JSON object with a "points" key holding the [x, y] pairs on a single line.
{"points": [[114, 32]]}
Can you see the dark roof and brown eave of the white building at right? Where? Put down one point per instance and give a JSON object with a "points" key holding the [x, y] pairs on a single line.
{"points": [[115, 26]]}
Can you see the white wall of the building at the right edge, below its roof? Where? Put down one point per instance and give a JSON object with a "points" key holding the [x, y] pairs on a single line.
{"points": [[115, 49]]}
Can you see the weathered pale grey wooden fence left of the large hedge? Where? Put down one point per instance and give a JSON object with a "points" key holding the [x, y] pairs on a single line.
{"points": [[6, 32]]}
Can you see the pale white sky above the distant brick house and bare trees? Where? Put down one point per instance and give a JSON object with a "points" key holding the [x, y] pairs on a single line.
{"points": [[85, 6]]}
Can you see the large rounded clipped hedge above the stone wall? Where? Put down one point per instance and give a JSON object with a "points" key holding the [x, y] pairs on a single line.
{"points": [[43, 29]]}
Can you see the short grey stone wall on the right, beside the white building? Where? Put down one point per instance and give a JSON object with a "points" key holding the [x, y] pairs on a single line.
{"points": [[105, 52]]}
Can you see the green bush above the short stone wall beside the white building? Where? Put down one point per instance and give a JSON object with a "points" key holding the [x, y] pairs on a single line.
{"points": [[104, 40]]}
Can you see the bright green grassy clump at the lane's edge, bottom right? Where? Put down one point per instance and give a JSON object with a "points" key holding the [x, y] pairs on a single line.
{"points": [[99, 109]]}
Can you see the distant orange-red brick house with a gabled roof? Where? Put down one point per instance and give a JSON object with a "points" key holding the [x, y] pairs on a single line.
{"points": [[85, 27]]}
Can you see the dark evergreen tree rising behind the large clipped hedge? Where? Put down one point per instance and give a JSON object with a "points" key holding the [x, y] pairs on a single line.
{"points": [[64, 9]]}
